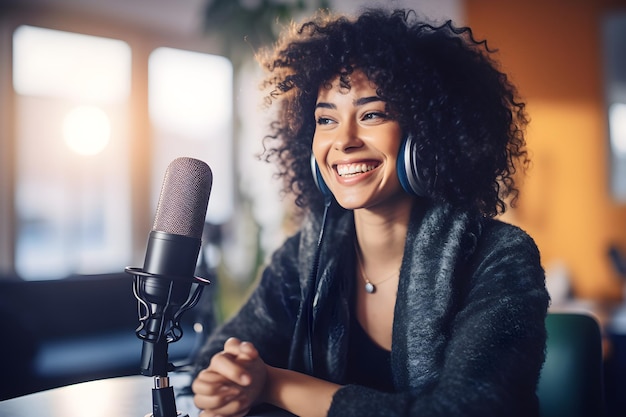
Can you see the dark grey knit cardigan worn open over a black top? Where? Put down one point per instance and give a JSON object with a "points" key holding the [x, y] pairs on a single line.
{"points": [[468, 333]]}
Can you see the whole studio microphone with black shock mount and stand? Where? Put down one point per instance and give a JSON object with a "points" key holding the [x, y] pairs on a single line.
{"points": [[166, 286]]}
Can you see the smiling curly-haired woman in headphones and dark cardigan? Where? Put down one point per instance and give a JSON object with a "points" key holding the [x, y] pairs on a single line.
{"points": [[400, 295]]}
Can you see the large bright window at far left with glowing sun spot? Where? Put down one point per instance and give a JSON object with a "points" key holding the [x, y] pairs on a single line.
{"points": [[72, 174]]}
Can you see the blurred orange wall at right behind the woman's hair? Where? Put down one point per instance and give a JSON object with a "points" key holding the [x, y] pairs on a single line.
{"points": [[553, 51]]}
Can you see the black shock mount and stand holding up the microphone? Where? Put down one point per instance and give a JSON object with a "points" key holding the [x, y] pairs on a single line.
{"points": [[163, 327]]}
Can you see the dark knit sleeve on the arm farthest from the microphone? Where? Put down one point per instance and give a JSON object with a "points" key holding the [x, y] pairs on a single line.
{"points": [[495, 347]]}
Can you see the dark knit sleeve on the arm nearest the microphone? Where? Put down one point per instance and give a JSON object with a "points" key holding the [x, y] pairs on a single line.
{"points": [[267, 317]]}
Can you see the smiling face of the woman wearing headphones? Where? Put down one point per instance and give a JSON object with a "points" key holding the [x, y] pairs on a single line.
{"points": [[356, 144]]}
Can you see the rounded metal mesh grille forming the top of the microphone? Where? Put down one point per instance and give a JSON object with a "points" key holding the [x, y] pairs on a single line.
{"points": [[184, 198]]}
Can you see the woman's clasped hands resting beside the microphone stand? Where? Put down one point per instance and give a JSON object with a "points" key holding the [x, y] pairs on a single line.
{"points": [[233, 382]]}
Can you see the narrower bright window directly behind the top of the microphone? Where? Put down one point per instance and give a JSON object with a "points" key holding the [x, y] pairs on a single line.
{"points": [[190, 104]]}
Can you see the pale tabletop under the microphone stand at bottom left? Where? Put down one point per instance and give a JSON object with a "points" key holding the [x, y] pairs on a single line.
{"points": [[129, 396]]}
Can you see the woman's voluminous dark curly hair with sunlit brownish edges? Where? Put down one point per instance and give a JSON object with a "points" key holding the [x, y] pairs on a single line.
{"points": [[439, 83]]}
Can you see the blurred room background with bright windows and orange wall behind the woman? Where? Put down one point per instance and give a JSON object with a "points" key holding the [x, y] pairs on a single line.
{"points": [[97, 97]]}
